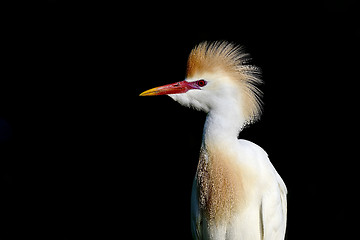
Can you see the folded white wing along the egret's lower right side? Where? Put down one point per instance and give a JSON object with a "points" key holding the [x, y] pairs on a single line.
{"points": [[274, 211]]}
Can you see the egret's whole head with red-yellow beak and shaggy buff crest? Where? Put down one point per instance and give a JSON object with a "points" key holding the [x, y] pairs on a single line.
{"points": [[218, 77]]}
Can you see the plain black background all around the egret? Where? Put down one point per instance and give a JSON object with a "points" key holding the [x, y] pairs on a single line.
{"points": [[82, 156]]}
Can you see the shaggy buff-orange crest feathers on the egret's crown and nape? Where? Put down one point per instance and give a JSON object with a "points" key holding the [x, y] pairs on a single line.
{"points": [[222, 58]]}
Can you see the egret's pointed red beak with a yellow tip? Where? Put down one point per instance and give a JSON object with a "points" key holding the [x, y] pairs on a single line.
{"points": [[174, 88]]}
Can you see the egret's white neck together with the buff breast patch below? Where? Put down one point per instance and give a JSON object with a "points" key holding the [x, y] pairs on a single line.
{"points": [[218, 178]]}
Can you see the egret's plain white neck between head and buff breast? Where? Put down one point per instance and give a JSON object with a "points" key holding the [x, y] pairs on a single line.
{"points": [[223, 124]]}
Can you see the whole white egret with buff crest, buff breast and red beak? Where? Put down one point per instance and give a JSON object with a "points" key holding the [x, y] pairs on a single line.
{"points": [[236, 191]]}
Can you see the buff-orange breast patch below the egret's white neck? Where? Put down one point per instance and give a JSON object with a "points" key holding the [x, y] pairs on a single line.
{"points": [[220, 184]]}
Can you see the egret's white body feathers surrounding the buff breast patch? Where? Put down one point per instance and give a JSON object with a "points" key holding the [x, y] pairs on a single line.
{"points": [[263, 216]]}
